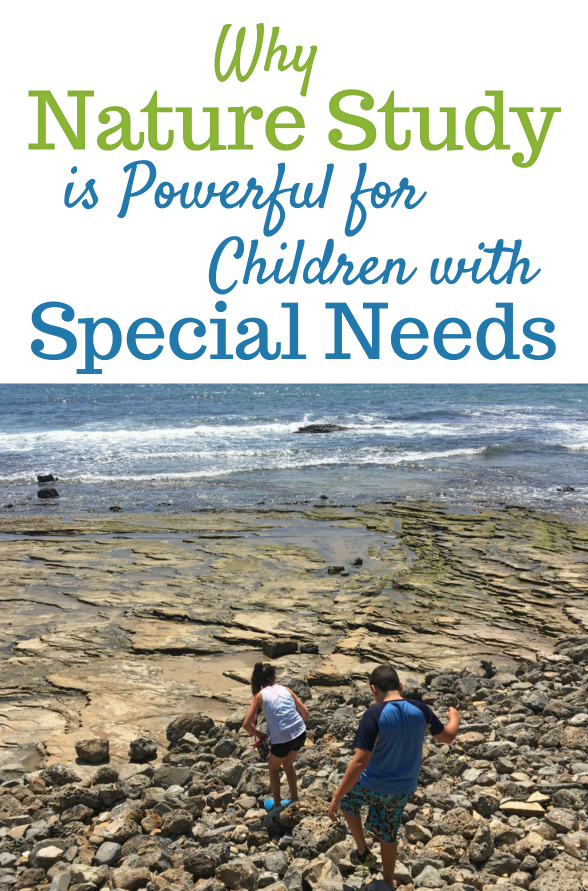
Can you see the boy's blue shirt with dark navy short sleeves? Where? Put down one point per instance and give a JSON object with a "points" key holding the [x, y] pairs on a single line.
{"points": [[394, 731]]}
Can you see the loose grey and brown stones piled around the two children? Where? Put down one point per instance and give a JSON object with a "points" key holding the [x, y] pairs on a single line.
{"points": [[505, 807]]}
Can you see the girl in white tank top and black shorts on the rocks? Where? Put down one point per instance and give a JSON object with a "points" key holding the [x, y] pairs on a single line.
{"points": [[285, 715]]}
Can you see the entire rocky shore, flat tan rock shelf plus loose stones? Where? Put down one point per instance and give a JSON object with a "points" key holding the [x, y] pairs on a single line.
{"points": [[112, 625]]}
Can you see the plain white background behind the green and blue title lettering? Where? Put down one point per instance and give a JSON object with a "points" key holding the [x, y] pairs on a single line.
{"points": [[155, 262]]}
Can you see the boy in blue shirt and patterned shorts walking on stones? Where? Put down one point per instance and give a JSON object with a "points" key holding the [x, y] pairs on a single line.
{"points": [[384, 770]]}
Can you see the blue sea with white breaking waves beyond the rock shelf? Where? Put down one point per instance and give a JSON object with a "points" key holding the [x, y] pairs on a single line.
{"points": [[183, 447]]}
